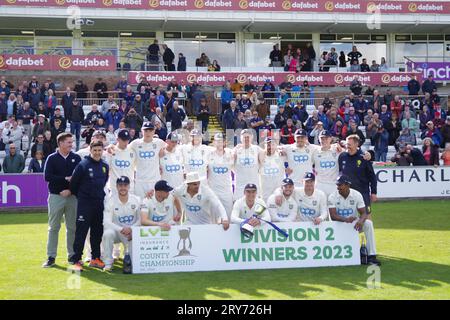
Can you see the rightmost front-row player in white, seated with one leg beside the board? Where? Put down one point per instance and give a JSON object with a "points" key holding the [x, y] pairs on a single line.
{"points": [[344, 205]]}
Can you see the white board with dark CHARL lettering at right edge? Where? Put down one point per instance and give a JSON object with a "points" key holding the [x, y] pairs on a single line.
{"points": [[411, 182]]}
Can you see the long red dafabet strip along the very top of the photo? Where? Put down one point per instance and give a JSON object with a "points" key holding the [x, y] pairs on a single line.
{"points": [[325, 6]]}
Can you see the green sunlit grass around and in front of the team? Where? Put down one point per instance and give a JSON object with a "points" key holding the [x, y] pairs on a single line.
{"points": [[413, 240]]}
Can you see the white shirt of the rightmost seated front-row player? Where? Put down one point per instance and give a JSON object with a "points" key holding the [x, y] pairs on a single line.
{"points": [[346, 207]]}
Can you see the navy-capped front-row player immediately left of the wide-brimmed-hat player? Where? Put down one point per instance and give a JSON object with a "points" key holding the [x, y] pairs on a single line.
{"points": [[162, 209]]}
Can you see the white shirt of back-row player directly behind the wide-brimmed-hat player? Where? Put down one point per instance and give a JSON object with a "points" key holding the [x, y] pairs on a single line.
{"points": [[196, 158]]}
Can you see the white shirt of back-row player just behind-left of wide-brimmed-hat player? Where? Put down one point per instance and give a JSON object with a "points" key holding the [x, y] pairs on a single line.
{"points": [[172, 167]]}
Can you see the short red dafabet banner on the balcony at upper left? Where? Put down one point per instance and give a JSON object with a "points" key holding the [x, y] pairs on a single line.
{"points": [[57, 63]]}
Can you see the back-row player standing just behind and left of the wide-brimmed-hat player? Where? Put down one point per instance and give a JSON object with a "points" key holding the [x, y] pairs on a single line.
{"points": [[171, 161]]}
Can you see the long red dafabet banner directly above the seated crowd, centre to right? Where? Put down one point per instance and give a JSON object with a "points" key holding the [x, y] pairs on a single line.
{"points": [[314, 78]]}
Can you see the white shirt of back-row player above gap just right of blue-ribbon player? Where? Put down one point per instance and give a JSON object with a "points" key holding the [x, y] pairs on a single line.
{"points": [[271, 173]]}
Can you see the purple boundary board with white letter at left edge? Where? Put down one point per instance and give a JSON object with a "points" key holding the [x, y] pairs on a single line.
{"points": [[23, 190]]}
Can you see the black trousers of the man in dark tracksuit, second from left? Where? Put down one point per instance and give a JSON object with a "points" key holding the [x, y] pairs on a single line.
{"points": [[89, 216]]}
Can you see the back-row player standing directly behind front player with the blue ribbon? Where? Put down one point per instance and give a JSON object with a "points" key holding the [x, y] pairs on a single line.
{"points": [[247, 159]]}
